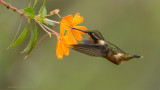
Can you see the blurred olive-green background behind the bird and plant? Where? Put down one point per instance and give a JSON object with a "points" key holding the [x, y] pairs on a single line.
{"points": [[133, 25]]}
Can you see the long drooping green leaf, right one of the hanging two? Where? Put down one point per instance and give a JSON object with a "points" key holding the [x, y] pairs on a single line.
{"points": [[32, 42]]}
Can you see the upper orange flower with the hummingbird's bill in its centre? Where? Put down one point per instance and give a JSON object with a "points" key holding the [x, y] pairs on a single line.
{"points": [[68, 23]]}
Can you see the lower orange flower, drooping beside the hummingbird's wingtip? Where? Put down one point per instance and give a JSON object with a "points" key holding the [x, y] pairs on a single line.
{"points": [[62, 47]]}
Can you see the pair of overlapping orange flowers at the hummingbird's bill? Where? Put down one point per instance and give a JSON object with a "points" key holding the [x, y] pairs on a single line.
{"points": [[71, 35]]}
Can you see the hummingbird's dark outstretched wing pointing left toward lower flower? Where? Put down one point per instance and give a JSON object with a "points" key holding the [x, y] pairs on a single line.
{"points": [[91, 49]]}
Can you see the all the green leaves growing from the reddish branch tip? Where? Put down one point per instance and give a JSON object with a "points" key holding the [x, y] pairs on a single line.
{"points": [[31, 14]]}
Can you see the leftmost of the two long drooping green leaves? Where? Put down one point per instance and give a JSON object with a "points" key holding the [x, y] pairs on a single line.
{"points": [[22, 37]]}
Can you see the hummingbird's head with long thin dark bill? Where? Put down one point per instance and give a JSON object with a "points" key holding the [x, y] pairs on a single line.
{"points": [[94, 35]]}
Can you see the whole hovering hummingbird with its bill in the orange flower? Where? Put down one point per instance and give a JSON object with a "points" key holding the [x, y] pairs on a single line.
{"points": [[99, 47]]}
